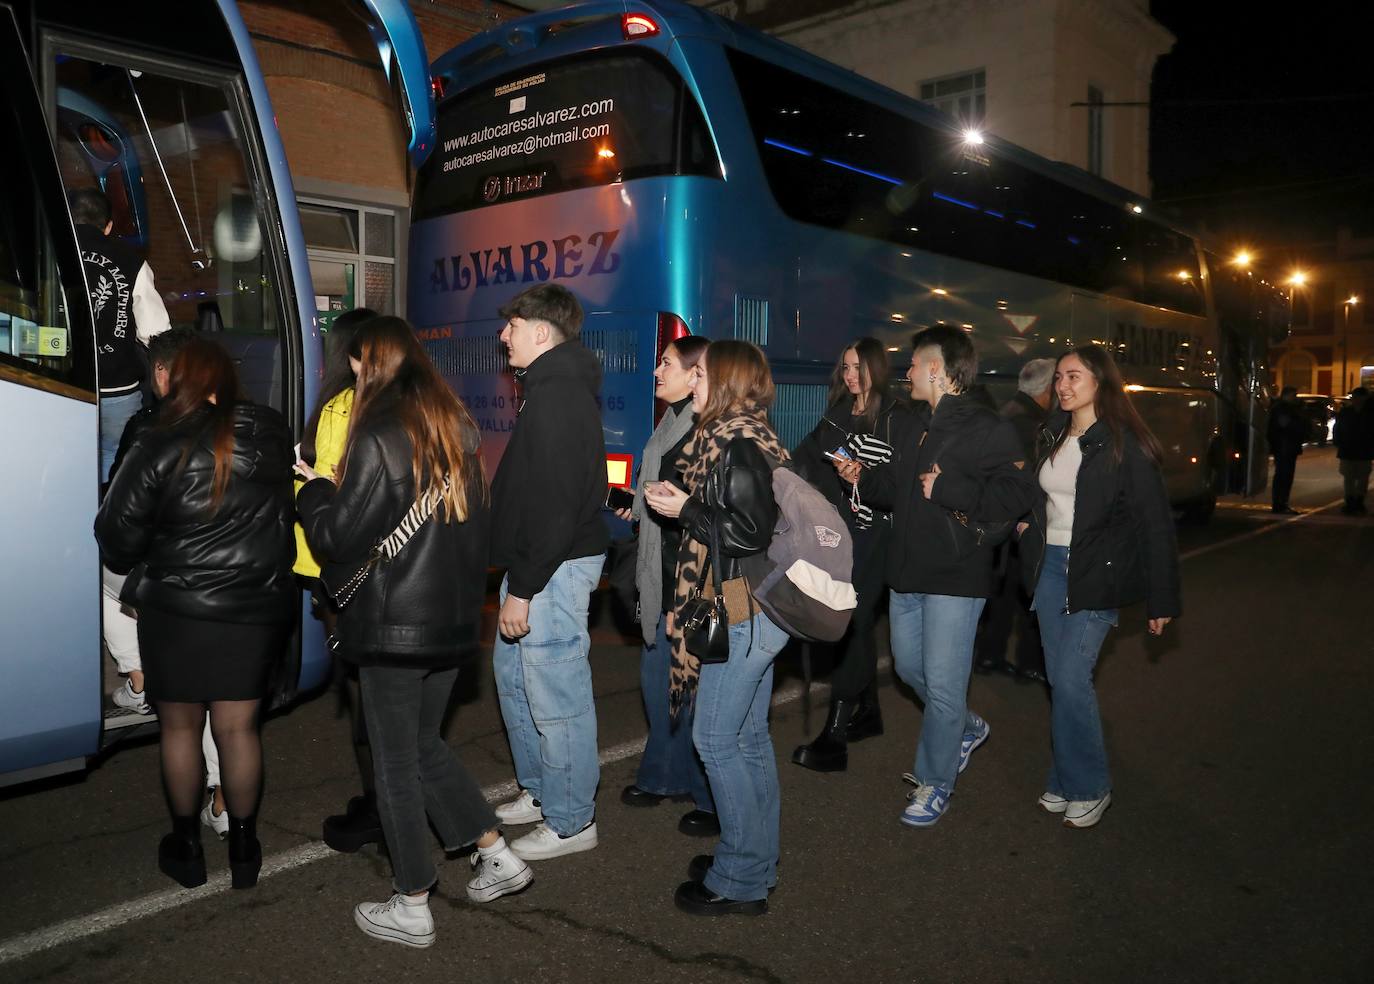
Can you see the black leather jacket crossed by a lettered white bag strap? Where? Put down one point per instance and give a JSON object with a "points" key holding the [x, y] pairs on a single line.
{"points": [[423, 608]]}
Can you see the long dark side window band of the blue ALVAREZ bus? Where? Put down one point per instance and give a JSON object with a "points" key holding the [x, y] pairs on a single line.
{"points": [[835, 160]]}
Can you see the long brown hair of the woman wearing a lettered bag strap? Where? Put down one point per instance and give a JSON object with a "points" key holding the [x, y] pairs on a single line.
{"points": [[398, 380]]}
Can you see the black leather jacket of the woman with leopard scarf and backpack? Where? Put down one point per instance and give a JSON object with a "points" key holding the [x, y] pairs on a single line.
{"points": [[739, 501]]}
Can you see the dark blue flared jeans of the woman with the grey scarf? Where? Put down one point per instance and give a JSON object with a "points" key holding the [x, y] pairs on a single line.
{"points": [[670, 766]]}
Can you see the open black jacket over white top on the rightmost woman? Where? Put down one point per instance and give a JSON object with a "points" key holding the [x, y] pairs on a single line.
{"points": [[1125, 548]]}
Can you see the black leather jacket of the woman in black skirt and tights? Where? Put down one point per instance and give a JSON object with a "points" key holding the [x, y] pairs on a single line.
{"points": [[234, 566]]}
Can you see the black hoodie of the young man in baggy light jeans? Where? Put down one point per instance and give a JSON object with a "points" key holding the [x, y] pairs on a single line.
{"points": [[552, 484]]}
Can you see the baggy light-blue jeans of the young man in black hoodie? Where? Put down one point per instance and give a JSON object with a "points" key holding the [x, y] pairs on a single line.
{"points": [[545, 684]]}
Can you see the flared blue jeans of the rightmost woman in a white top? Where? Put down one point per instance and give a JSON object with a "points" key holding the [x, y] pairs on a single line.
{"points": [[1072, 642]]}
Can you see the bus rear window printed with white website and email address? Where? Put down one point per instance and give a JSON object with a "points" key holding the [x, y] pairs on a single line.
{"points": [[585, 122]]}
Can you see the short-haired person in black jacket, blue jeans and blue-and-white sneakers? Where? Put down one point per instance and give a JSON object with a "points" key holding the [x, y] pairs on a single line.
{"points": [[958, 472]]}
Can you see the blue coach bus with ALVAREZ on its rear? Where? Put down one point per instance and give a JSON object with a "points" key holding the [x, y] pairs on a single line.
{"points": [[684, 174]]}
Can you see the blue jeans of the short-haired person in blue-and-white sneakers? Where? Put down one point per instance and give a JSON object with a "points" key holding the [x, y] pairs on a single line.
{"points": [[932, 651]]}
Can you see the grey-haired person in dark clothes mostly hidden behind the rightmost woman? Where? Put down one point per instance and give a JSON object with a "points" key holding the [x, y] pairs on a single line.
{"points": [[1011, 607]]}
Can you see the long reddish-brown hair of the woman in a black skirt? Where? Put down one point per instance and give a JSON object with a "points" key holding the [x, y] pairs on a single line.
{"points": [[203, 370]]}
